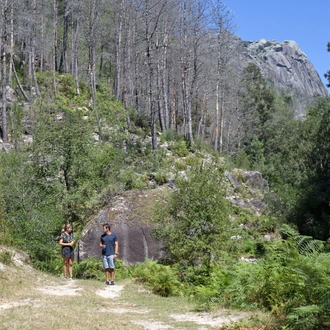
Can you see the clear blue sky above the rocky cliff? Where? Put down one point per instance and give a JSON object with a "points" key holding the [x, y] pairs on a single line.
{"points": [[304, 21]]}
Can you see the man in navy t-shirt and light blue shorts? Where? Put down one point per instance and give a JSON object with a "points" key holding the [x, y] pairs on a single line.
{"points": [[109, 245]]}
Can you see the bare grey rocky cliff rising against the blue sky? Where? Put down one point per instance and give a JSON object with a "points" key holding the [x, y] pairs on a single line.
{"points": [[286, 67]]}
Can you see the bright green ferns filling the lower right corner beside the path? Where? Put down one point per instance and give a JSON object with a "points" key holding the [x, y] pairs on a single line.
{"points": [[290, 279]]}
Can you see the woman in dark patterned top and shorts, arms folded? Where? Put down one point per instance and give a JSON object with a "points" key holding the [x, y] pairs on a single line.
{"points": [[67, 241]]}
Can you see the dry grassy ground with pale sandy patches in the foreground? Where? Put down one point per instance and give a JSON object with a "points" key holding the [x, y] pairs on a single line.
{"points": [[30, 300]]}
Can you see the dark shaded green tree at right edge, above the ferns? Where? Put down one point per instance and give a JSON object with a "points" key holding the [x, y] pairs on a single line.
{"points": [[313, 211]]}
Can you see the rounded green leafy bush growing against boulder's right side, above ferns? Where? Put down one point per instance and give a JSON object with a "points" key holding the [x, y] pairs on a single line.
{"points": [[193, 223]]}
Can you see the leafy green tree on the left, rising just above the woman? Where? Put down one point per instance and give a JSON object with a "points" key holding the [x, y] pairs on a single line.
{"points": [[61, 158]]}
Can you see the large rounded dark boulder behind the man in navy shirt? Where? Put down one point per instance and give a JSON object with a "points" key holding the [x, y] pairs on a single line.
{"points": [[130, 217]]}
